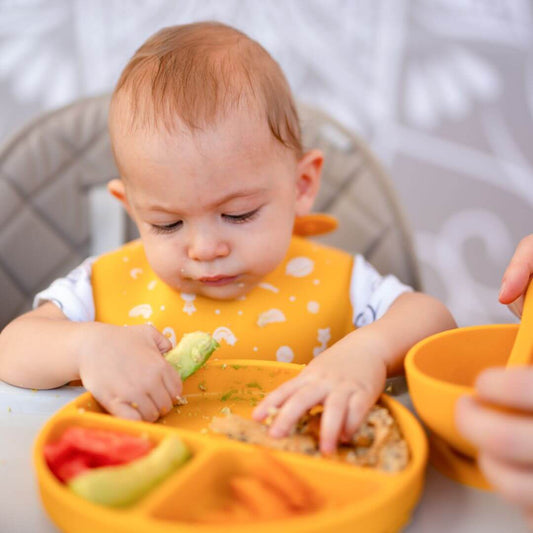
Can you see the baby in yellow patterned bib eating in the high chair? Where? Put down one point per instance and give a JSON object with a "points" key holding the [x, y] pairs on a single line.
{"points": [[206, 138]]}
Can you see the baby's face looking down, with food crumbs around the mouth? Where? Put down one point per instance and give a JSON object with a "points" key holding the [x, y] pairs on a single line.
{"points": [[215, 209]]}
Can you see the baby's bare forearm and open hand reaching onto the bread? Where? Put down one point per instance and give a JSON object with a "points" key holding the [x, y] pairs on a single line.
{"points": [[348, 377]]}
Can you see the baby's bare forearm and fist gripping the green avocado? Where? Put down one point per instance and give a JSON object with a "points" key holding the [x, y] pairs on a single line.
{"points": [[121, 366]]}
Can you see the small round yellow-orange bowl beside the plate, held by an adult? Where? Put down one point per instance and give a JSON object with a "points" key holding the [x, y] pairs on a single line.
{"points": [[443, 367]]}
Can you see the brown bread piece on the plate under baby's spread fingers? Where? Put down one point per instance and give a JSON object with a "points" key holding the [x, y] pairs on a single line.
{"points": [[378, 442]]}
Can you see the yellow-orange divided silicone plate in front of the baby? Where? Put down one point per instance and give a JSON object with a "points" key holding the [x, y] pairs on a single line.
{"points": [[357, 498]]}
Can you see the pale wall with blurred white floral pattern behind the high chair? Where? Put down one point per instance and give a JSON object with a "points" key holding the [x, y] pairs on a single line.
{"points": [[441, 89]]}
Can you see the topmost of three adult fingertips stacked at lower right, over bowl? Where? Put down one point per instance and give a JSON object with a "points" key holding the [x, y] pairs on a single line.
{"points": [[508, 387]]}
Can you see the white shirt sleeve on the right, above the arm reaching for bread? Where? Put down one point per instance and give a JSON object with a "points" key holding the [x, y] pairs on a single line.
{"points": [[371, 294]]}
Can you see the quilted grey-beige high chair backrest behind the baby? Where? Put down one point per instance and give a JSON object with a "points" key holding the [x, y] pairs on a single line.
{"points": [[48, 168]]}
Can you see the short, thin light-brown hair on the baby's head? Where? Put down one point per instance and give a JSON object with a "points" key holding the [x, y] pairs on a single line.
{"points": [[198, 72]]}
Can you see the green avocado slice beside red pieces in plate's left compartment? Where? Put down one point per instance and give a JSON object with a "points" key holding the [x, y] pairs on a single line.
{"points": [[123, 485]]}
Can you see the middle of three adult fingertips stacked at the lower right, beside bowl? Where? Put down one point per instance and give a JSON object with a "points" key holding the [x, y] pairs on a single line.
{"points": [[508, 437]]}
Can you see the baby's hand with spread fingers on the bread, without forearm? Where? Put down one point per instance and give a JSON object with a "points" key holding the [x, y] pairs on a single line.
{"points": [[346, 379]]}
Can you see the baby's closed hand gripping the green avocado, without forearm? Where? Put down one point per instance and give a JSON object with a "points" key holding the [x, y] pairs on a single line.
{"points": [[124, 369]]}
